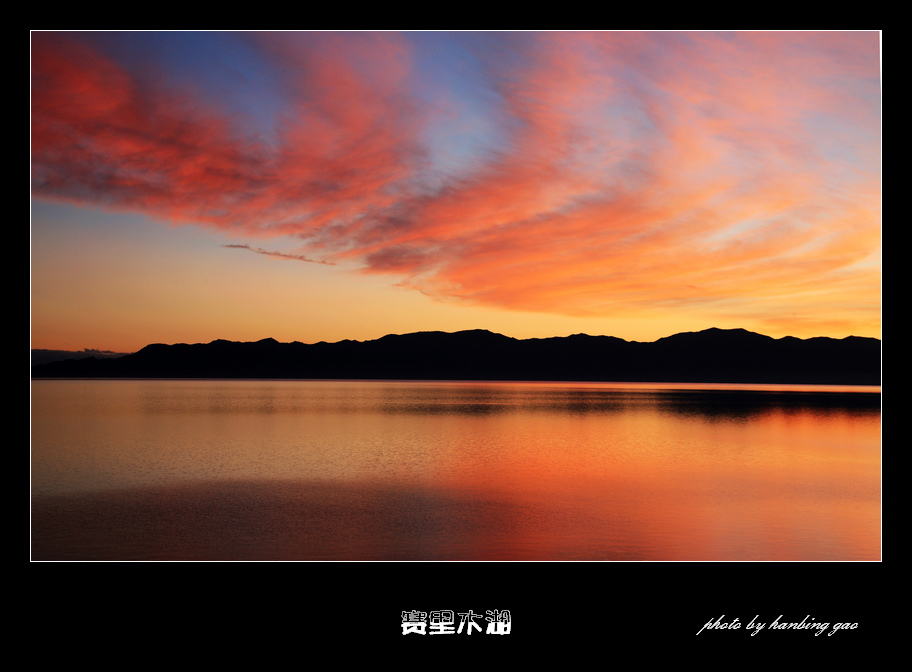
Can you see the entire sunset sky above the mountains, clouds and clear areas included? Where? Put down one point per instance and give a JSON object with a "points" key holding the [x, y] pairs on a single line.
{"points": [[321, 186]]}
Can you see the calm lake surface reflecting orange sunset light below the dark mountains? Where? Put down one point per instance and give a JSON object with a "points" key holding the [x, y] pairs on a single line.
{"points": [[342, 470]]}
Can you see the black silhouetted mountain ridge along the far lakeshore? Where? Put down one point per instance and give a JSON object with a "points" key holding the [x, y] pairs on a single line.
{"points": [[712, 355]]}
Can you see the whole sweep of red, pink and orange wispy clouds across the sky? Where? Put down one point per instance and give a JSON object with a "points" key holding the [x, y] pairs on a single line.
{"points": [[624, 172]]}
